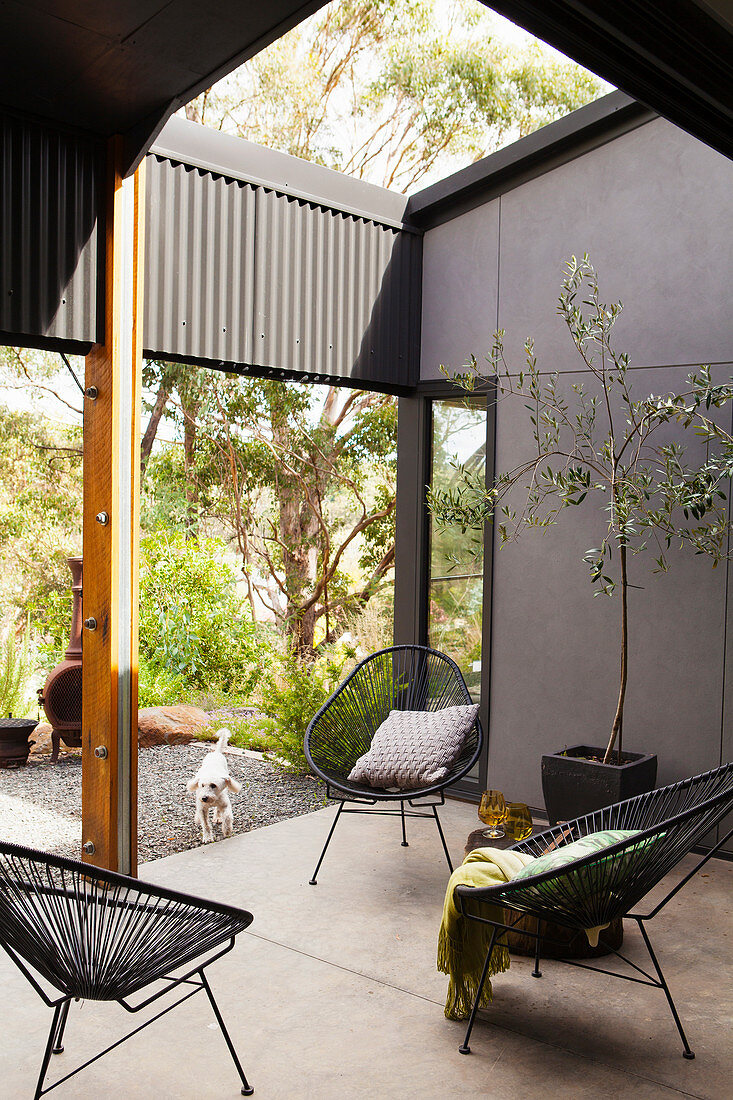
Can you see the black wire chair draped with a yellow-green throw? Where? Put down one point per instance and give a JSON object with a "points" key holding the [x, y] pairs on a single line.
{"points": [[609, 884]]}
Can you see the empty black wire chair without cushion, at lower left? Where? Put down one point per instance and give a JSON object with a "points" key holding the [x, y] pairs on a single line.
{"points": [[97, 936]]}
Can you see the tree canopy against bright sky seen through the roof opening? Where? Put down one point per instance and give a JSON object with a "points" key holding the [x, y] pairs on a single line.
{"points": [[396, 92]]}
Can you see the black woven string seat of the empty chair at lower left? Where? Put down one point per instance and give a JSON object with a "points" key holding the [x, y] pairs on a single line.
{"points": [[99, 936]]}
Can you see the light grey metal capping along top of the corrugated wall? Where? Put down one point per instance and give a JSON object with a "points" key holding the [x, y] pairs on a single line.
{"points": [[237, 159]]}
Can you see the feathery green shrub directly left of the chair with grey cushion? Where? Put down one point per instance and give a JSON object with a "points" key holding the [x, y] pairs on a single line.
{"points": [[293, 691]]}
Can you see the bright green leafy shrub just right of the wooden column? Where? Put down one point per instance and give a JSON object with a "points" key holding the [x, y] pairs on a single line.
{"points": [[196, 633]]}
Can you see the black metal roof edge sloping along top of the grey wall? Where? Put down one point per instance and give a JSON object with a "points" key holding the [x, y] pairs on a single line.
{"points": [[540, 152]]}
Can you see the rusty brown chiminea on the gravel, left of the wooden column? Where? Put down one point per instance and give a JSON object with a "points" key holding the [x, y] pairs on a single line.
{"points": [[61, 696]]}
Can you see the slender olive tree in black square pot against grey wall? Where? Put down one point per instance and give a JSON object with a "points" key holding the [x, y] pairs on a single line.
{"points": [[603, 444]]}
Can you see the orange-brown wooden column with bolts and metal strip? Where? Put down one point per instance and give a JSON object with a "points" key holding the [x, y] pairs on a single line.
{"points": [[112, 497]]}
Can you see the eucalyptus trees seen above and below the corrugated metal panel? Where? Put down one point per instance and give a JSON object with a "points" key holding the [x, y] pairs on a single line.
{"points": [[387, 91]]}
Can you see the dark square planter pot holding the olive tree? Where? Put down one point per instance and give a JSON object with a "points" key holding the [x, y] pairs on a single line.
{"points": [[574, 787]]}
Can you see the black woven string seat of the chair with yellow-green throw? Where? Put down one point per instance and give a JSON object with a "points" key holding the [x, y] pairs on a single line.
{"points": [[607, 885]]}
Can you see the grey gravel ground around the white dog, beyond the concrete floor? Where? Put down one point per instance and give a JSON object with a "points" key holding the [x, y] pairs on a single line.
{"points": [[41, 805]]}
